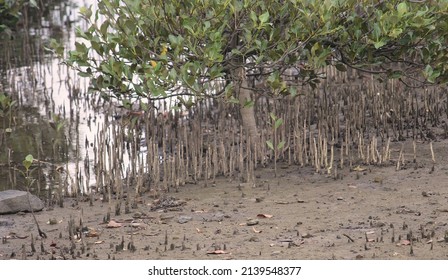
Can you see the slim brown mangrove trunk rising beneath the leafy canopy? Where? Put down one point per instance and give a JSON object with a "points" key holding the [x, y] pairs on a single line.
{"points": [[246, 106]]}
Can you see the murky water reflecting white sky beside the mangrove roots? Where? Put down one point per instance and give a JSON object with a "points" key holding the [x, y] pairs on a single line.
{"points": [[51, 118]]}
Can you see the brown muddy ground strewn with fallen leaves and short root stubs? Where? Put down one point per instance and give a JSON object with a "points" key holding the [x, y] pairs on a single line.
{"points": [[376, 213]]}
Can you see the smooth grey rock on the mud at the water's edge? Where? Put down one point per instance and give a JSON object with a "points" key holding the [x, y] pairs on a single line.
{"points": [[13, 201]]}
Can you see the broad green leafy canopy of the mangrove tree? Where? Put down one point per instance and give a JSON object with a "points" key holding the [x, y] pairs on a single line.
{"points": [[155, 48]]}
